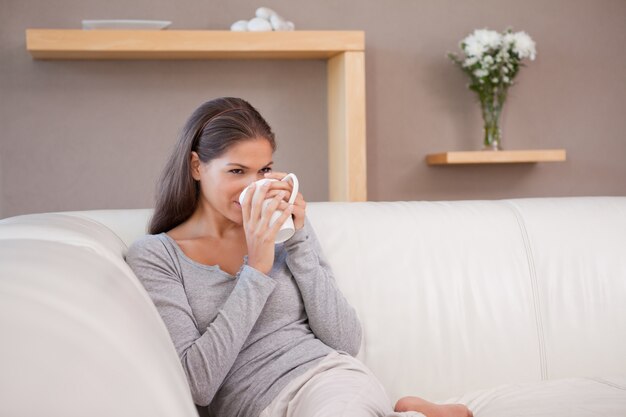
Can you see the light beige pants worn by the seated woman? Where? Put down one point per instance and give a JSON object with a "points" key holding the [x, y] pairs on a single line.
{"points": [[339, 386]]}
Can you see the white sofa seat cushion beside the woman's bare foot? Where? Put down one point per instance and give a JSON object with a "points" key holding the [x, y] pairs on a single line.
{"points": [[571, 397]]}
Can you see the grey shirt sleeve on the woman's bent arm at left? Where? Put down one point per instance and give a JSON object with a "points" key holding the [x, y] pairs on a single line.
{"points": [[206, 358]]}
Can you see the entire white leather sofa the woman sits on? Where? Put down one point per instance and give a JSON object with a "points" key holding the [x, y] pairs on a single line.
{"points": [[515, 307]]}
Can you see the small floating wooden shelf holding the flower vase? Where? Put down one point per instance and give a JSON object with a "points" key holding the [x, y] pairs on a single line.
{"points": [[497, 157]]}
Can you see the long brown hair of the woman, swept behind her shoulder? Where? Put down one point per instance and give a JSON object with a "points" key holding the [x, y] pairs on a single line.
{"points": [[210, 131]]}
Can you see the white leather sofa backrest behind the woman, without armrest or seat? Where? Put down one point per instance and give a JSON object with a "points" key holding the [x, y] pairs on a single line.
{"points": [[463, 295]]}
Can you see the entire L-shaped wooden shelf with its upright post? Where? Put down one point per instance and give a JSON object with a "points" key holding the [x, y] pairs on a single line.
{"points": [[344, 52]]}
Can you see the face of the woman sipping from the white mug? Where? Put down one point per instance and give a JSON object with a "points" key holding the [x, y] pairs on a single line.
{"points": [[223, 179]]}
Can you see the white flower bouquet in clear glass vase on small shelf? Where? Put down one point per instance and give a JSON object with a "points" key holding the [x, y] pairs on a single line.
{"points": [[492, 60]]}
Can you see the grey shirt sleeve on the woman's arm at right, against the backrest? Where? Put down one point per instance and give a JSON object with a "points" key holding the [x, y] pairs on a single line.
{"points": [[331, 318]]}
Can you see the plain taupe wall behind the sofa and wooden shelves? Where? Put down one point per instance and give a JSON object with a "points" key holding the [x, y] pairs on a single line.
{"points": [[83, 135]]}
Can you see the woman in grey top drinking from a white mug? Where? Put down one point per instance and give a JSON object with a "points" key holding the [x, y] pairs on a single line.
{"points": [[260, 328]]}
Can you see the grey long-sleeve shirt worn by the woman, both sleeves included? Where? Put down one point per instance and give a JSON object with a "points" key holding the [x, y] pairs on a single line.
{"points": [[242, 338]]}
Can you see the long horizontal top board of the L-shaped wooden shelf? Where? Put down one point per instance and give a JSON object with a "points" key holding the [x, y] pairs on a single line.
{"points": [[189, 44]]}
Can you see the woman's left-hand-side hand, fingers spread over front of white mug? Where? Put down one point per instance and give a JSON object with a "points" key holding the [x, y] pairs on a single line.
{"points": [[260, 236]]}
